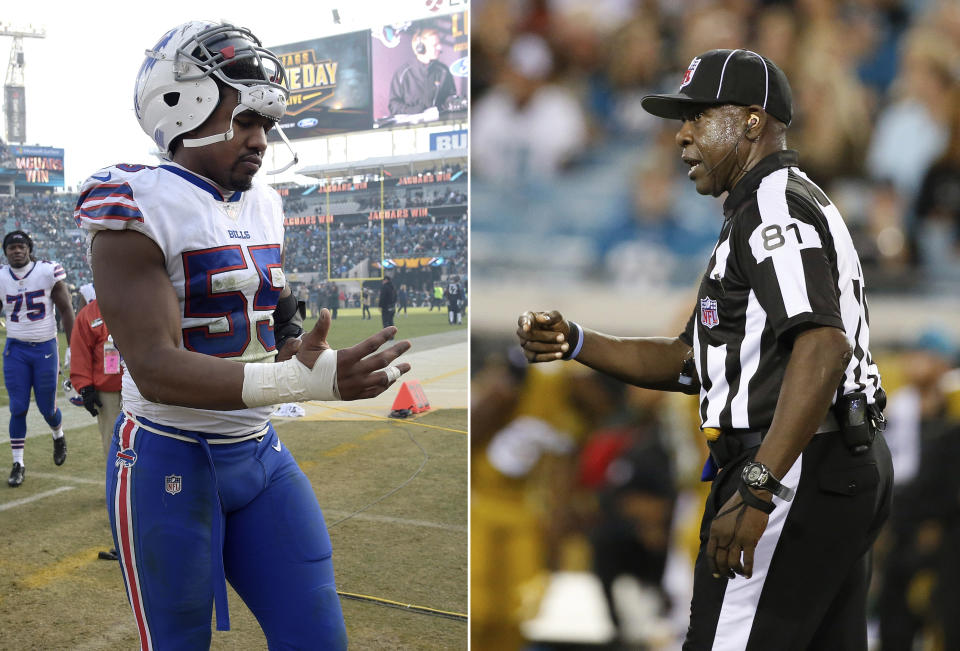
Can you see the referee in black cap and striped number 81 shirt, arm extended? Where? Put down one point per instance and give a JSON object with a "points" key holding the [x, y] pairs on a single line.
{"points": [[778, 349]]}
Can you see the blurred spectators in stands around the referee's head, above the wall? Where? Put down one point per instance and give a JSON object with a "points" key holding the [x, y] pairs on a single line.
{"points": [[556, 97]]}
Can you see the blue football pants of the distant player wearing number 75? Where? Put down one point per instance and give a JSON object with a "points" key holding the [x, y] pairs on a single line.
{"points": [[31, 366]]}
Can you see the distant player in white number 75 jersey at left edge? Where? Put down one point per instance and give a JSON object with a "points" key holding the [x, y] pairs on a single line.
{"points": [[31, 356]]}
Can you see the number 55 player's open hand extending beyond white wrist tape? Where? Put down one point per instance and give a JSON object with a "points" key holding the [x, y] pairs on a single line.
{"points": [[362, 372]]}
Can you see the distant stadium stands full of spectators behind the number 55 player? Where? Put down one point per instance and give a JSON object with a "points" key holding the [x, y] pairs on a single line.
{"points": [[354, 239]]}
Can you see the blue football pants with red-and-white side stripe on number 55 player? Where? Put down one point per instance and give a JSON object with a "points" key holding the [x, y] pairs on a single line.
{"points": [[165, 511]]}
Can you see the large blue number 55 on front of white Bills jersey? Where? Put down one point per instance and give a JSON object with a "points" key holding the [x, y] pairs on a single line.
{"points": [[203, 300]]}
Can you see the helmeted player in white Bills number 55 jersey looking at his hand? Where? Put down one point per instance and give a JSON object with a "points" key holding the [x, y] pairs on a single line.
{"points": [[187, 260]]}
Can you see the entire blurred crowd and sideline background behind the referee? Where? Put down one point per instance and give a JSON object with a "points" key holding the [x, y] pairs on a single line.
{"points": [[586, 496]]}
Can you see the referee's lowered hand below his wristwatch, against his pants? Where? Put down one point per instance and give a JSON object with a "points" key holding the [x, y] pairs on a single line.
{"points": [[735, 530]]}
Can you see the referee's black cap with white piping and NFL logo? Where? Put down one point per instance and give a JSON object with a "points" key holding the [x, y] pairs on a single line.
{"points": [[727, 77]]}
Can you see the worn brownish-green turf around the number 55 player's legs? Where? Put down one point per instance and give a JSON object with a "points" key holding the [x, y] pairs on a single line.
{"points": [[409, 548]]}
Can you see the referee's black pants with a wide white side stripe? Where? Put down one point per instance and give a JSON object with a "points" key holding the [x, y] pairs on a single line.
{"points": [[812, 565]]}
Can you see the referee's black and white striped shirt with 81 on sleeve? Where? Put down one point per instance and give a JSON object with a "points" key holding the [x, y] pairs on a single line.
{"points": [[784, 262]]}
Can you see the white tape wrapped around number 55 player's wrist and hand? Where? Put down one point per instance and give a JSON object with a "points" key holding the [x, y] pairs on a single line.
{"points": [[267, 384]]}
